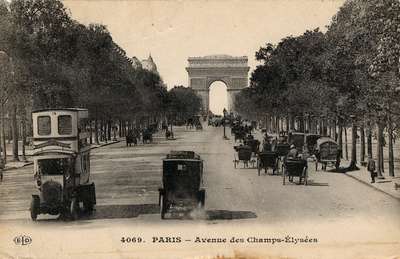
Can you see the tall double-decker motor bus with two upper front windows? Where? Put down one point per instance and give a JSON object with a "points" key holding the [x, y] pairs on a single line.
{"points": [[61, 163]]}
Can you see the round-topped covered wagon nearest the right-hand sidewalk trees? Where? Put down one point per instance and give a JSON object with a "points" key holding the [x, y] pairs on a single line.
{"points": [[327, 151]]}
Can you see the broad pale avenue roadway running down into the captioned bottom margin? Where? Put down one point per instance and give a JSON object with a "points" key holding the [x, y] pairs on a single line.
{"points": [[337, 216]]}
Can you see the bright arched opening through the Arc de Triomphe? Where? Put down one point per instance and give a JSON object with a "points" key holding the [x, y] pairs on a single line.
{"points": [[218, 97]]}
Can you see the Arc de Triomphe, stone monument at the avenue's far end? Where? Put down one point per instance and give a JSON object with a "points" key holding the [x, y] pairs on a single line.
{"points": [[203, 71]]}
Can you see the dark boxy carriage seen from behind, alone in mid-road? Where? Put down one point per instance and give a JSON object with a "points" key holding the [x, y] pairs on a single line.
{"points": [[182, 189]]}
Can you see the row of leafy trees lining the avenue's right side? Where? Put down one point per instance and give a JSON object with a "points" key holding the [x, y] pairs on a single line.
{"points": [[327, 82]]}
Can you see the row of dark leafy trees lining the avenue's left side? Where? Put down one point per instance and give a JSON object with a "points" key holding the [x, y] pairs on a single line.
{"points": [[49, 60]]}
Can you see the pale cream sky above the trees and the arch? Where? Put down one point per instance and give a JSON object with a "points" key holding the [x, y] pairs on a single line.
{"points": [[173, 30]]}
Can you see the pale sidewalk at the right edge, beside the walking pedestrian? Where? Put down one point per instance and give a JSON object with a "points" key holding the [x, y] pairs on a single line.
{"points": [[386, 185]]}
